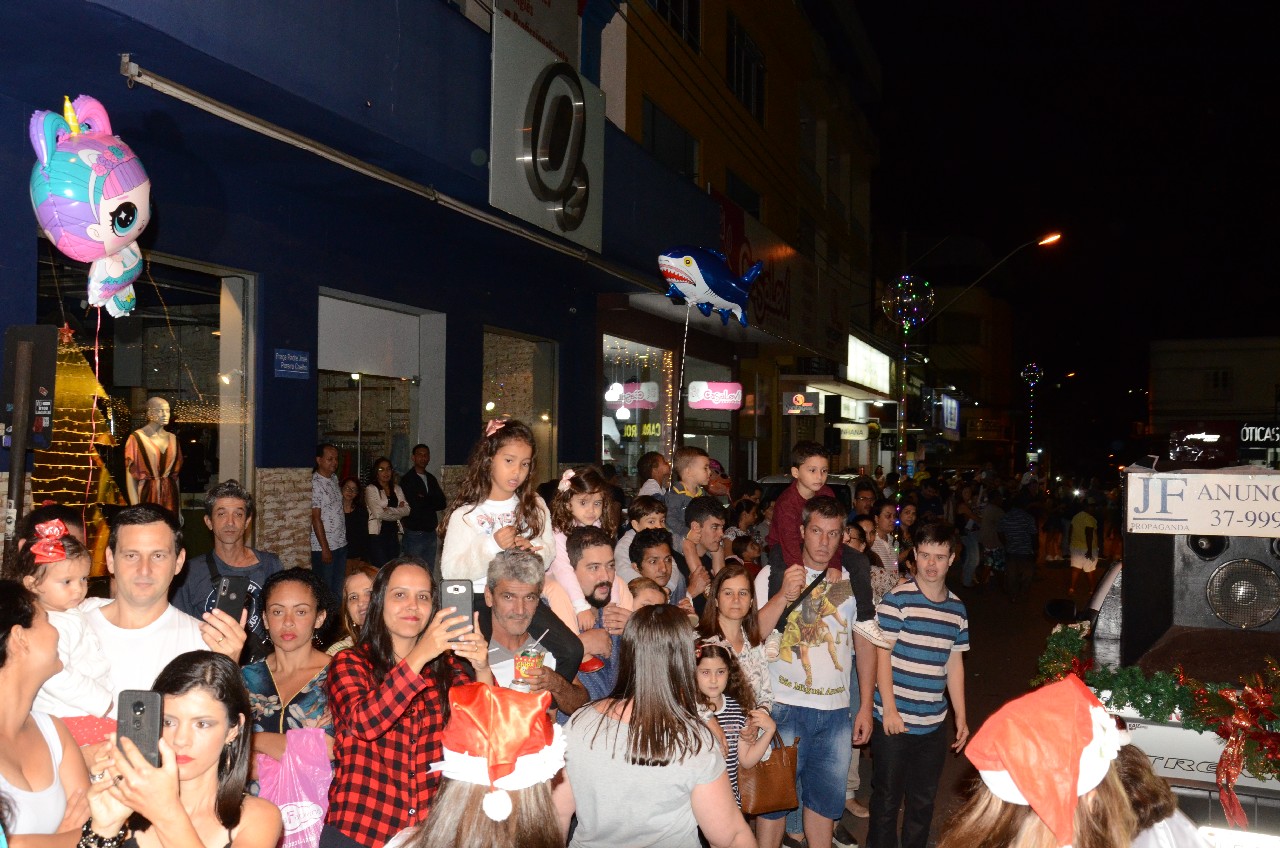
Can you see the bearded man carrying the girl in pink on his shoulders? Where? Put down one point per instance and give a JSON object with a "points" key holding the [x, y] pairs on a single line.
{"points": [[591, 551]]}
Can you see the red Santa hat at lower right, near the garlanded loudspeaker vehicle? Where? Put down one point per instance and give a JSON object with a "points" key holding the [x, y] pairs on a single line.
{"points": [[1046, 750]]}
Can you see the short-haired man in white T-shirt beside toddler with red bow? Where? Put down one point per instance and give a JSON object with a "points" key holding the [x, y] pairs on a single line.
{"points": [[140, 631]]}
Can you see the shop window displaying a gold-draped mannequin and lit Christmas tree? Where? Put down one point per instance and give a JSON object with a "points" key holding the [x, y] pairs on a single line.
{"points": [[152, 407]]}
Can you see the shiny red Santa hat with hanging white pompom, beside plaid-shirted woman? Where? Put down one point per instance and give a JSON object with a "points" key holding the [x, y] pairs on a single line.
{"points": [[502, 740]]}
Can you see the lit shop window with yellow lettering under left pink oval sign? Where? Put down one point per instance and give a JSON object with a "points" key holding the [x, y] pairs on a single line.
{"points": [[637, 411]]}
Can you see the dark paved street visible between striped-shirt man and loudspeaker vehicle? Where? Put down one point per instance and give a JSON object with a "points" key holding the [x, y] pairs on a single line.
{"points": [[1007, 641]]}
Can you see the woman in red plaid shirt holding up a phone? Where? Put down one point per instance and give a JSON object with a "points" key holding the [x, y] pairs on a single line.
{"points": [[390, 699]]}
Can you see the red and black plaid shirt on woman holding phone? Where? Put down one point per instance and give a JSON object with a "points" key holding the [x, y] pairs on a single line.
{"points": [[386, 738]]}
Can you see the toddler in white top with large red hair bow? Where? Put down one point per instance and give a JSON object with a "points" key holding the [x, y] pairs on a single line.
{"points": [[56, 568]]}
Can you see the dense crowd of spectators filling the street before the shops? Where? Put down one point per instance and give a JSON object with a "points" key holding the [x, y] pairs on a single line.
{"points": [[520, 671]]}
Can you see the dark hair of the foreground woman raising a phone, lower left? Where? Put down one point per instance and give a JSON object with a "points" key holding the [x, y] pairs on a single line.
{"points": [[221, 678]]}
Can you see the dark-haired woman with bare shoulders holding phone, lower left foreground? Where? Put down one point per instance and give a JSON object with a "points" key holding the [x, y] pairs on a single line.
{"points": [[198, 795]]}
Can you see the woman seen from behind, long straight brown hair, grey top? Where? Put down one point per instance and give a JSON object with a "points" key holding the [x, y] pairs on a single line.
{"points": [[643, 769]]}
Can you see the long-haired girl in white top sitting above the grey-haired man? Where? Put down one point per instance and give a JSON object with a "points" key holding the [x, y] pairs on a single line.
{"points": [[497, 508]]}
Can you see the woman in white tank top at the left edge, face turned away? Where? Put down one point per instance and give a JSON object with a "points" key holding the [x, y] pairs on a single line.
{"points": [[42, 769]]}
